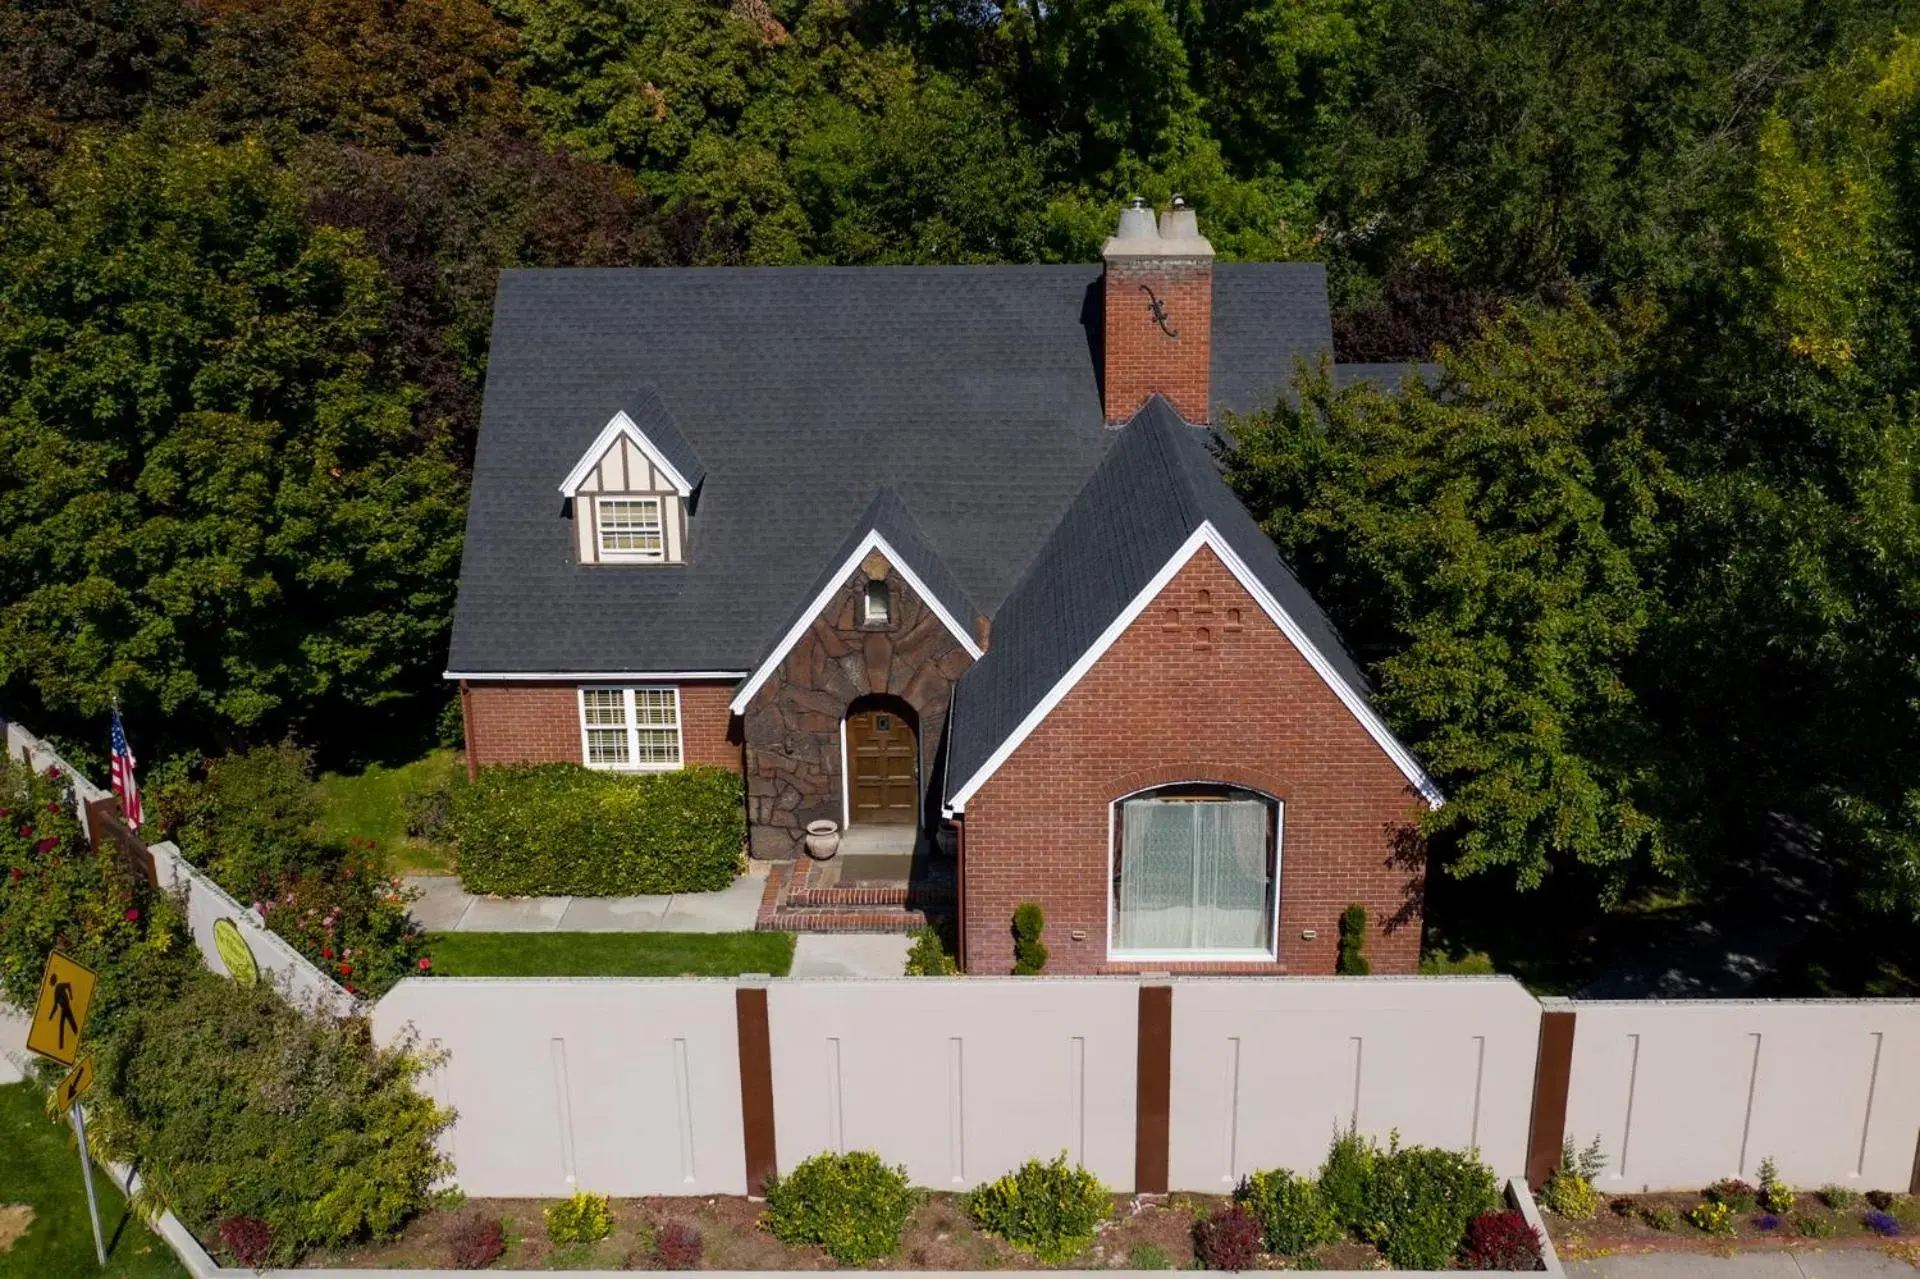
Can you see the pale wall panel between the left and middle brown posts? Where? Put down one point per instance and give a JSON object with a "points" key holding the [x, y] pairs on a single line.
{"points": [[957, 1078]]}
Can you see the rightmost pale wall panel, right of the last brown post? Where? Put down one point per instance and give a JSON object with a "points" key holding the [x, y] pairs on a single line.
{"points": [[1685, 1094]]}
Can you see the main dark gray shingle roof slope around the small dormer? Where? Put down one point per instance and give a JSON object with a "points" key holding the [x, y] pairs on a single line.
{"points": [[969, 391]]}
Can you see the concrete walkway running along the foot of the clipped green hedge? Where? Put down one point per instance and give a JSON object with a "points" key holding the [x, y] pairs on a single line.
{"points": [[444, 907]]}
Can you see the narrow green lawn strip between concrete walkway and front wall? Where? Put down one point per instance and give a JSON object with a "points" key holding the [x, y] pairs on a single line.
{"points": [[610, 955]]}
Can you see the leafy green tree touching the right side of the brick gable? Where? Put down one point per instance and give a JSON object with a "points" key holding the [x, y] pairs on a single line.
{"points": [[1489, 546]]}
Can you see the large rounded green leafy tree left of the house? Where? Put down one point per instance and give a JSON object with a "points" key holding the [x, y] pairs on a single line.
{"points": [[216, 496]]}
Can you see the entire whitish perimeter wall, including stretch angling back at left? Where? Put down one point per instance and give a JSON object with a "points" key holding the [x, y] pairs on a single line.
{"points": [[708, 1086]]}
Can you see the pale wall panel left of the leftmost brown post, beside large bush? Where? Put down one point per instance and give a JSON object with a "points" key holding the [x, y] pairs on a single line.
{"points": [[617, 1086]]}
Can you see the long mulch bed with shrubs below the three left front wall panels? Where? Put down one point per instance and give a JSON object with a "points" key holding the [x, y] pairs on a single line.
{"points": [[1143, 1234]]}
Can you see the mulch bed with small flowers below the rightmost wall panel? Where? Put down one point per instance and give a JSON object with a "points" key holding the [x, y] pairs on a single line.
{"points": [[1623, 1226]]}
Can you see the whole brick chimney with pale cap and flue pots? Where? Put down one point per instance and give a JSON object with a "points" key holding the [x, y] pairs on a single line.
{"points": [[1159, 314]]}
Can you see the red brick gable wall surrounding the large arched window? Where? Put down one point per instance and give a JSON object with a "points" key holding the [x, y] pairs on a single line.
{"points": [[1203, 687]]}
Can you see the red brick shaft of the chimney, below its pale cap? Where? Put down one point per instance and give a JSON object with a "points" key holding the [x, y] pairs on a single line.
{"points": [[1138, 358]]}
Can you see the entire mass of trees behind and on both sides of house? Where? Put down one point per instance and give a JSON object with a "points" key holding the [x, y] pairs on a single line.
{"points": [[1639, 579]]}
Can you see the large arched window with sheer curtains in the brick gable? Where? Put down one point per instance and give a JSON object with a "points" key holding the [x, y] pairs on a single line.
{"points": [[1195, 873]]}
